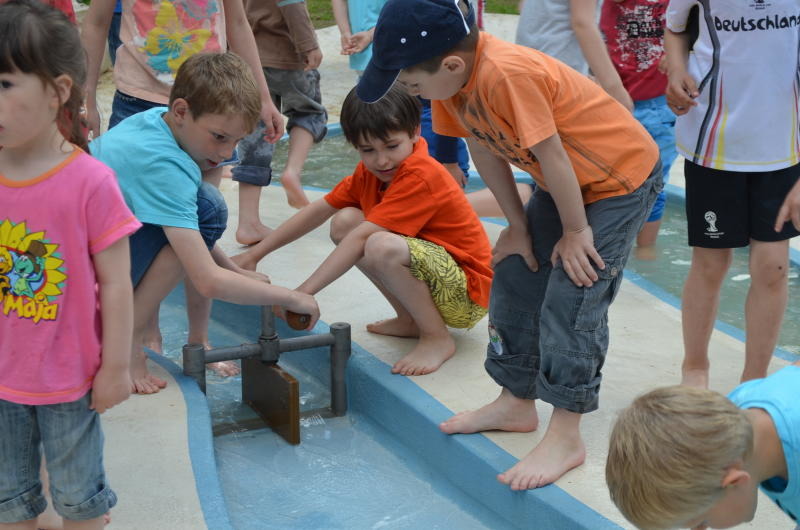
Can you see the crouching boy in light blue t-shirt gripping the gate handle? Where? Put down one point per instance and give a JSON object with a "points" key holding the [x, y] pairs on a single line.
{"points": [[158, 156]]}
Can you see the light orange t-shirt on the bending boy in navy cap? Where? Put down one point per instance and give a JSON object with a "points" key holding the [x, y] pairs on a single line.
{"points": [[517, 96]]}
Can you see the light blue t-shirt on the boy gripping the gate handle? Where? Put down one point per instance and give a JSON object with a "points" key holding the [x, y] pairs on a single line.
{"points": [[159, 180]]}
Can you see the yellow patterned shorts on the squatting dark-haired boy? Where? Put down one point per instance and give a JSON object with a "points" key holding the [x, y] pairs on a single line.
{"points": [[446, 281]]}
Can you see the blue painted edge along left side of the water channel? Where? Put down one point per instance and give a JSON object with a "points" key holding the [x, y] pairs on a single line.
{"points": [[201, 447]]}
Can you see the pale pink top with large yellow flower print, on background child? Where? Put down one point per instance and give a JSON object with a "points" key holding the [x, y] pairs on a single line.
{"points": [[158, 36]]}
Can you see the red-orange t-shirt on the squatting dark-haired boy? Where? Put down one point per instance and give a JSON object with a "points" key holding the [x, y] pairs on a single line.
{"points": [[423, 201]]}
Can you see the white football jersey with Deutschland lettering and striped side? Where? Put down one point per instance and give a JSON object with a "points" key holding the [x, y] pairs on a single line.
{"points": [[745, 62]]}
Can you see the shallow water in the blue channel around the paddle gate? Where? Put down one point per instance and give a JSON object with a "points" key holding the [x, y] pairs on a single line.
{"points": [[347, 473]]}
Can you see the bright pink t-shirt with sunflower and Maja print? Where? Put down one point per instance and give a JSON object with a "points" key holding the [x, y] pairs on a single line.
{"points": [[50, 227]]}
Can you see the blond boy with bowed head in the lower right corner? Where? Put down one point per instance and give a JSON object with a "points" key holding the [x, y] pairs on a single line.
{"points": [[686, 457]]}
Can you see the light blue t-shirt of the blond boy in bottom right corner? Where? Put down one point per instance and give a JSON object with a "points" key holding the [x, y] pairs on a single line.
{"points": [[778, 395]]}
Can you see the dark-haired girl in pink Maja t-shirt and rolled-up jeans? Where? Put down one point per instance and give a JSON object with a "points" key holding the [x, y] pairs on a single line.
{"points": [[66, 300]]}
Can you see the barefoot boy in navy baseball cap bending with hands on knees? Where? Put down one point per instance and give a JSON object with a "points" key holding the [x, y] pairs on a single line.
{"points": [[558, 265]]}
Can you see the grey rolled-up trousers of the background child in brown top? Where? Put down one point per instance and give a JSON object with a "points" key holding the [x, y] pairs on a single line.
{"points": [[296, 94]]}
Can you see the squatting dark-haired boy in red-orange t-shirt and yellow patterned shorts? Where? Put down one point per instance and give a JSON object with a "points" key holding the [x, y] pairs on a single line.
{"points": [[405, 223]]}
